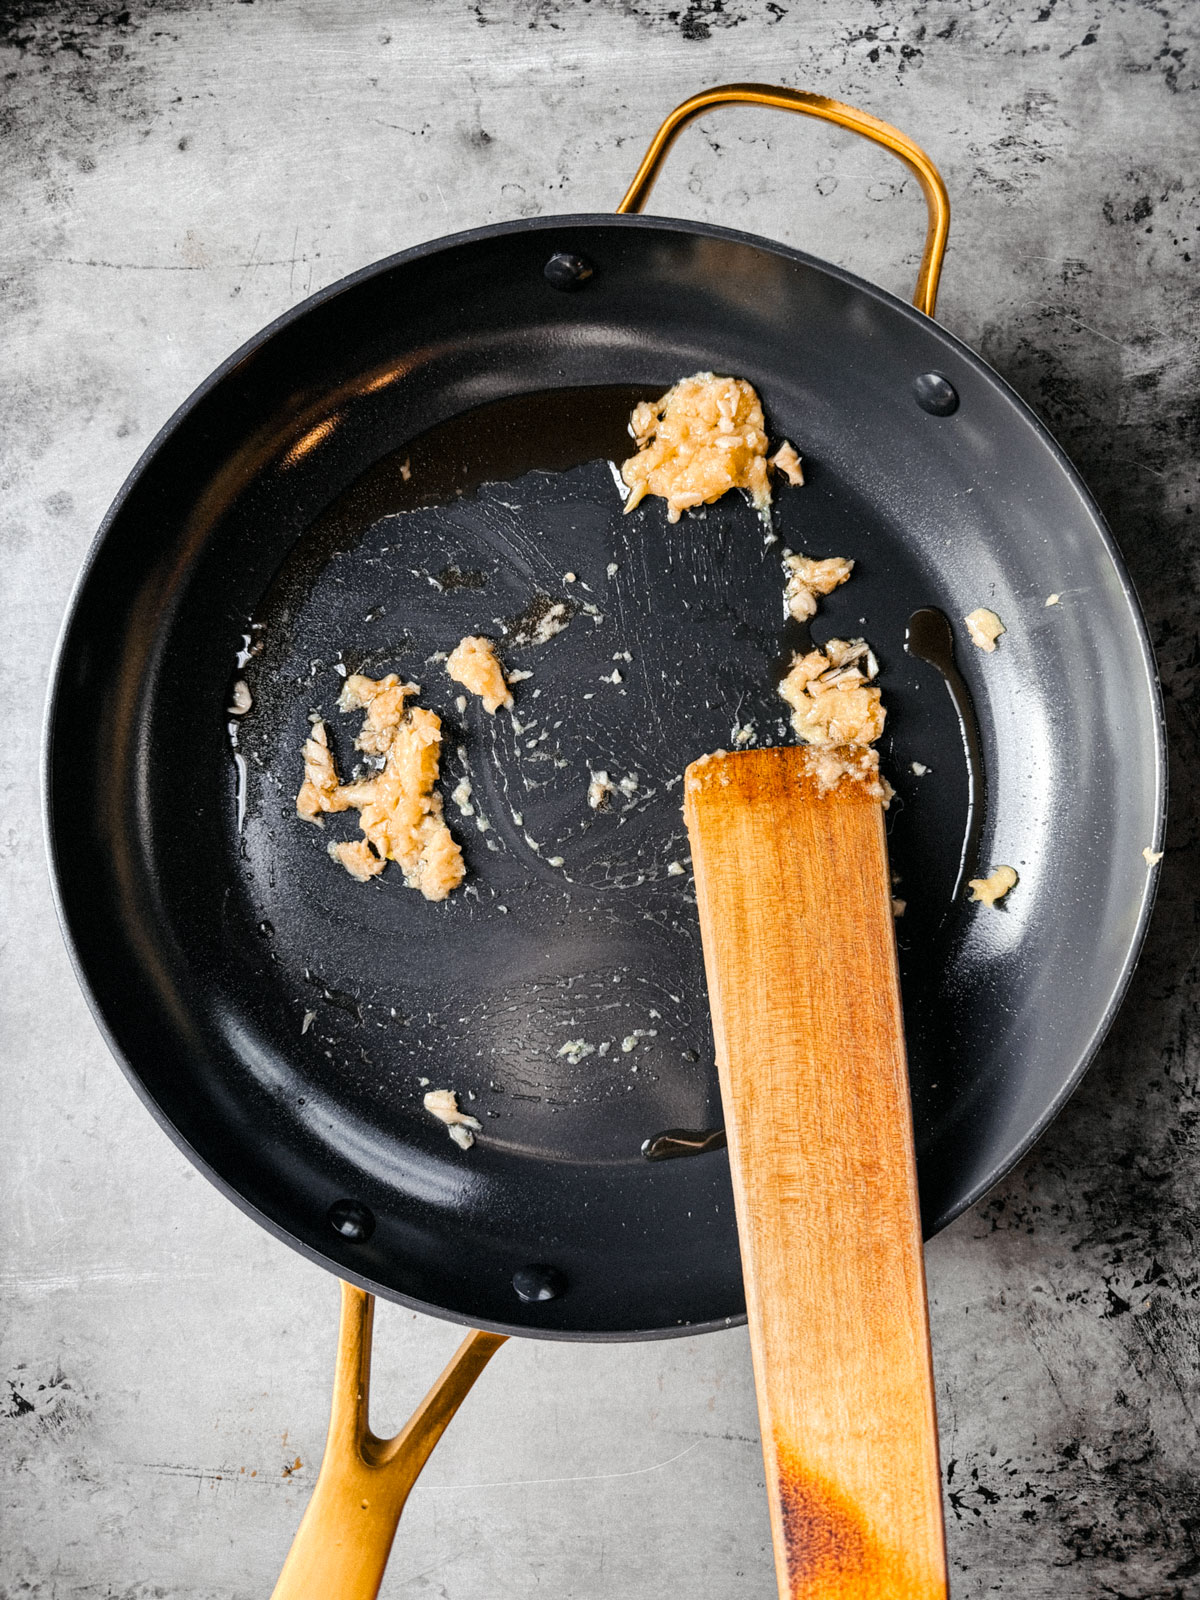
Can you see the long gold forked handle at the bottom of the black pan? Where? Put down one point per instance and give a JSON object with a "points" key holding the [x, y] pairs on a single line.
{"points": [[342, 1548]]}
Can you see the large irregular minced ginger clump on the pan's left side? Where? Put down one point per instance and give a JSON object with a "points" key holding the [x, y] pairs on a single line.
{"points": [[401, 814]]}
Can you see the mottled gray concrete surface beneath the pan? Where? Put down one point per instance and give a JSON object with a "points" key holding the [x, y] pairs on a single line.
{"points": [[175, 175]]}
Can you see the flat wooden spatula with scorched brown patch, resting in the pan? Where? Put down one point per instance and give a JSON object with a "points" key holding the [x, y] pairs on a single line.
{"points": [[799, 950]]}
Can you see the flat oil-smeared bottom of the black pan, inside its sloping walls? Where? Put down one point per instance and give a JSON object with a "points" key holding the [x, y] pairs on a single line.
{"points": [[562, 991]]}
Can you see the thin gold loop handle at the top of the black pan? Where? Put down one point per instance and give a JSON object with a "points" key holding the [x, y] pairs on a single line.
{"points": [[919, 164]]}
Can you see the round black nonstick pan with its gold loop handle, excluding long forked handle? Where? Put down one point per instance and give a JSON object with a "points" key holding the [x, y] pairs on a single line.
{"points": [[423, 452]]}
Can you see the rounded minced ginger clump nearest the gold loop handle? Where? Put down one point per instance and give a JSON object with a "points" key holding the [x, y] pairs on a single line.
{"points": [[702, 439]]}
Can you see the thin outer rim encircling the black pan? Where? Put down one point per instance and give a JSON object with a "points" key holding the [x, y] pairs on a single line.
{"points": [[550, 225]]}
